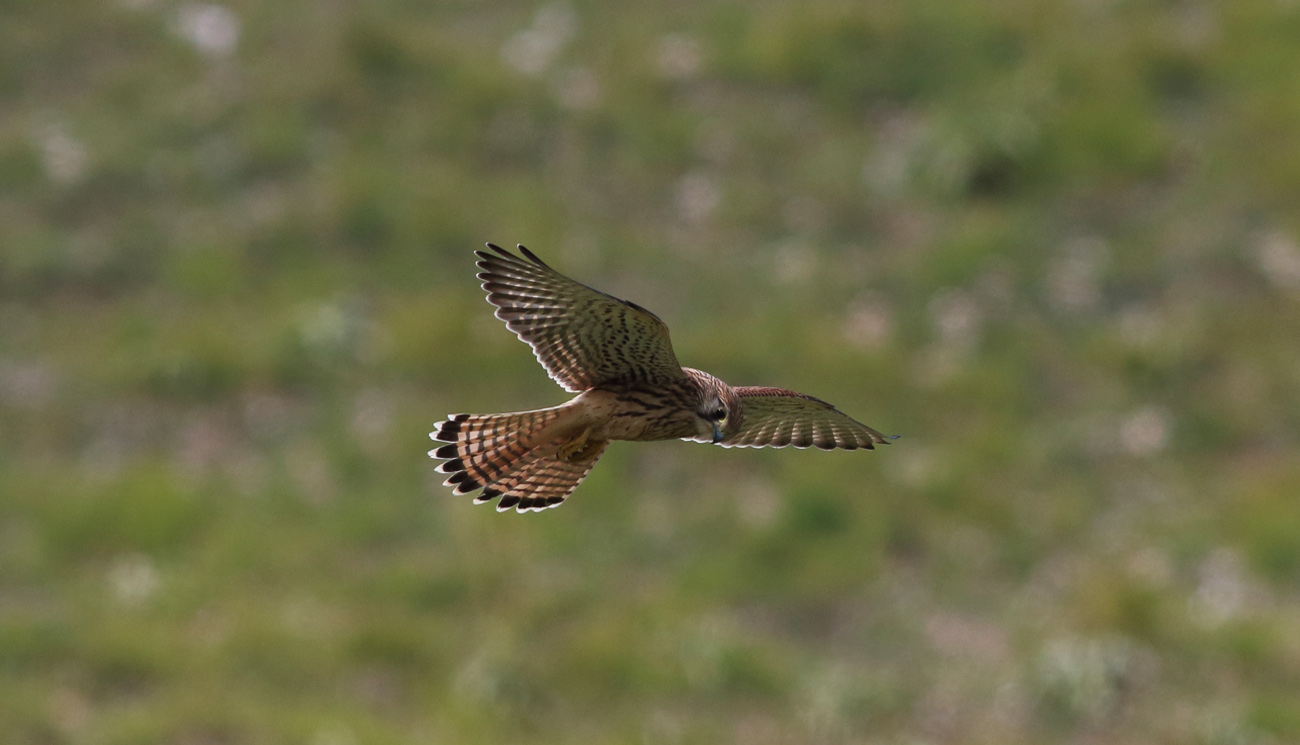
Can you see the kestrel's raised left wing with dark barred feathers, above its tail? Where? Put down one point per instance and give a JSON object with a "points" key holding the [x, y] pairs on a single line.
{"points": [[582, 336]]}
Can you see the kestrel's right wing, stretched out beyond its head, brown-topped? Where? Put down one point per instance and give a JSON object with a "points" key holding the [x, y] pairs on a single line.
{"points": [[774, 417]]}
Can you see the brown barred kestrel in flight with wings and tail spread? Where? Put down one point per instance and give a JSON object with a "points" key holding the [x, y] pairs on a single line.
{"points": [[618, 358]]}
